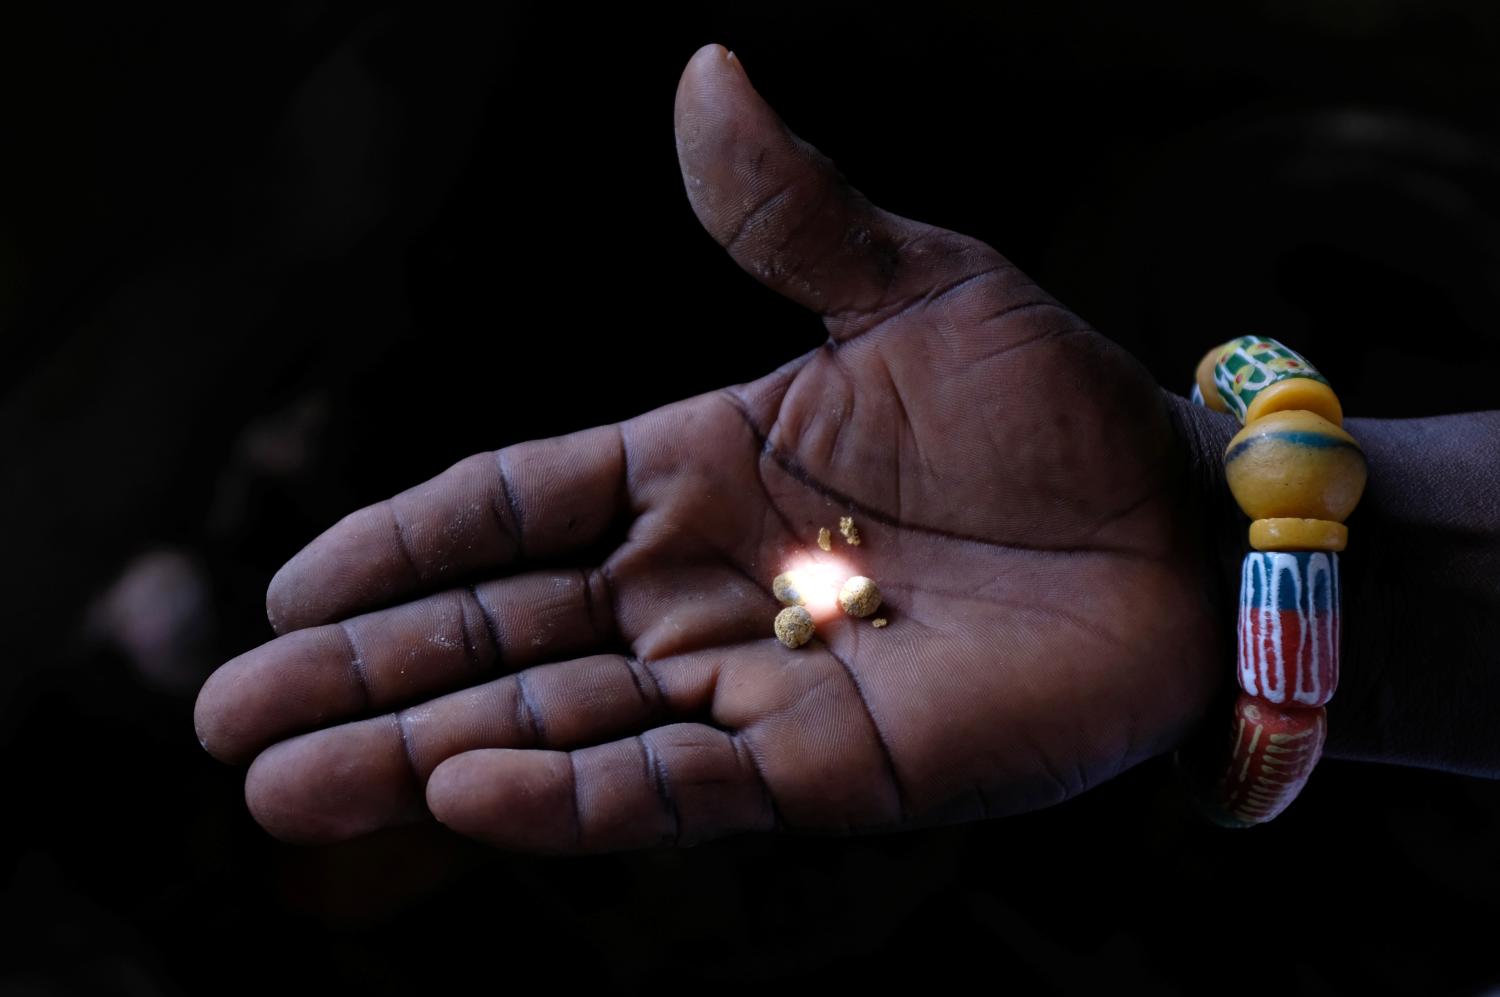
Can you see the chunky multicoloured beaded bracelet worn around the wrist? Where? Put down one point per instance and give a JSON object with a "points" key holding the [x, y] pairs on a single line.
{"points": [[1298, 476]]}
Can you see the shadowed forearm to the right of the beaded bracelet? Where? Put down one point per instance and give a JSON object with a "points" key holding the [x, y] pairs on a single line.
{"points": [[1423, 599]]}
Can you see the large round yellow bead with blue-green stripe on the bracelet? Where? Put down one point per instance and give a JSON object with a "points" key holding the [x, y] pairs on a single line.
{"points": [[1295, 466]]}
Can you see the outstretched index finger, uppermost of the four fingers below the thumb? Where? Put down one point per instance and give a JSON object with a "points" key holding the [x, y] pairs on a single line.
{"points": [[494, 510]]}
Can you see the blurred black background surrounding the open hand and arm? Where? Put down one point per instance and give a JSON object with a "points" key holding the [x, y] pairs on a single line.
{"points": [[259, 271]]}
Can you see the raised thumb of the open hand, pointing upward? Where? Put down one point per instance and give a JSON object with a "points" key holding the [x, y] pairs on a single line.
{"points": [[790, 218]]}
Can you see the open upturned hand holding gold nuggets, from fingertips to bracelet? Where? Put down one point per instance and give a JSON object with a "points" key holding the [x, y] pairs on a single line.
{"points": [[566, 645]]}
